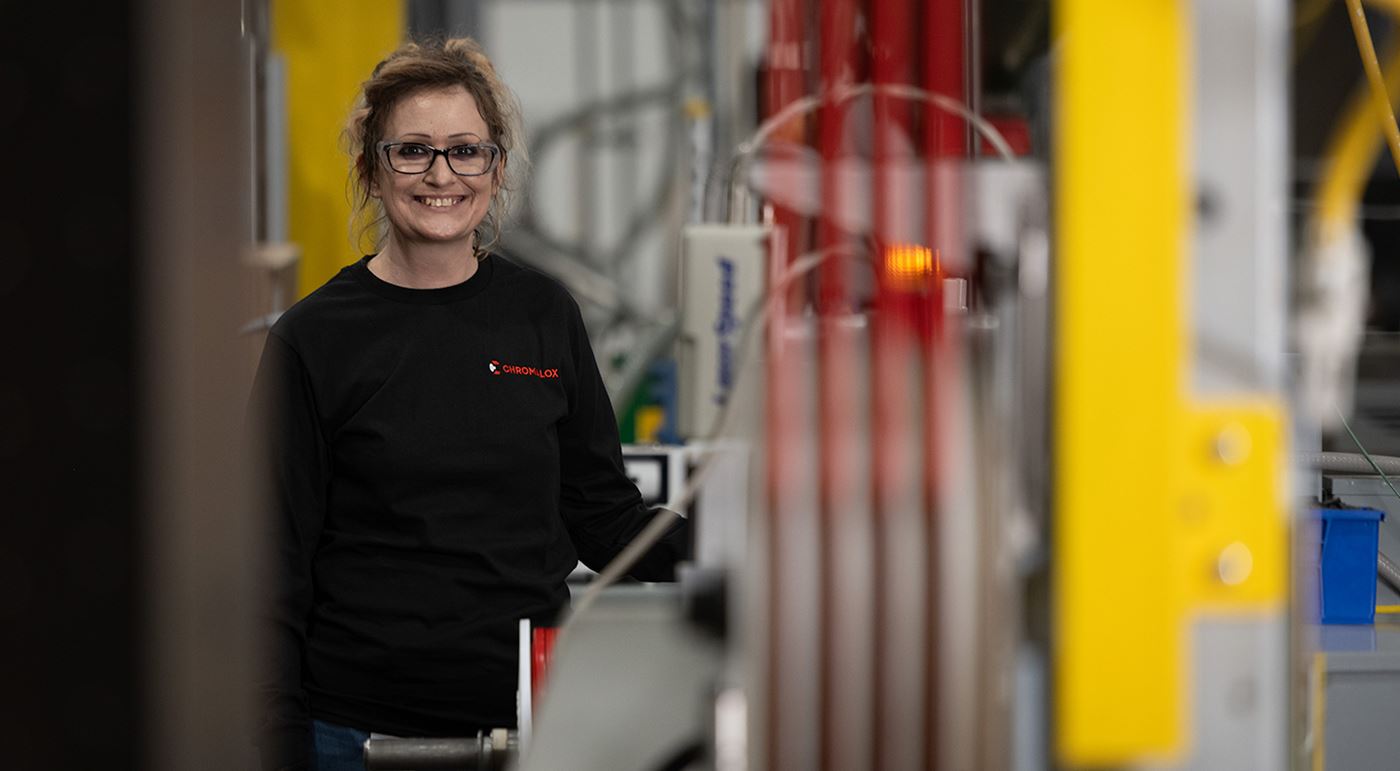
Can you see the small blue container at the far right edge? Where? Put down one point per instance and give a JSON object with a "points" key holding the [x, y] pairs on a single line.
{"points": [[1347, 576]]}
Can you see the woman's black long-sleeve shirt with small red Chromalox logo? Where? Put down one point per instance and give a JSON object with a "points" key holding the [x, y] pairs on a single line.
{"points": [[440, 461]]}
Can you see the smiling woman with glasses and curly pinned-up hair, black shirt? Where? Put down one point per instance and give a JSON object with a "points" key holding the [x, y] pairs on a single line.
{"points": [[443, 447]]}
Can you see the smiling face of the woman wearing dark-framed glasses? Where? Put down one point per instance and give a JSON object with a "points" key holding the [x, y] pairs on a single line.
{"points": [[436, 206]]}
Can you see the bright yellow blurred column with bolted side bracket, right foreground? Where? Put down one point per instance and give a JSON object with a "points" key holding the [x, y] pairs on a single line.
{"points": [[1164, 510]]}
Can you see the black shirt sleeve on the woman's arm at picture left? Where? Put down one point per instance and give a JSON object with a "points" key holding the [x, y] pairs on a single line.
{"points": [[297, 472]]}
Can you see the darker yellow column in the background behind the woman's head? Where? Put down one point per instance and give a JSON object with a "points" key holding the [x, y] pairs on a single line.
{"points": [[328, 50]]}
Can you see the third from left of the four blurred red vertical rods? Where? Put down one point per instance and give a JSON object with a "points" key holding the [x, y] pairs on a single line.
{"points": [[899, 600]]}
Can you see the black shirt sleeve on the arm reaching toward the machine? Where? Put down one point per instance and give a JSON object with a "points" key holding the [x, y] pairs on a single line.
{"points": [[601, 507]]}
